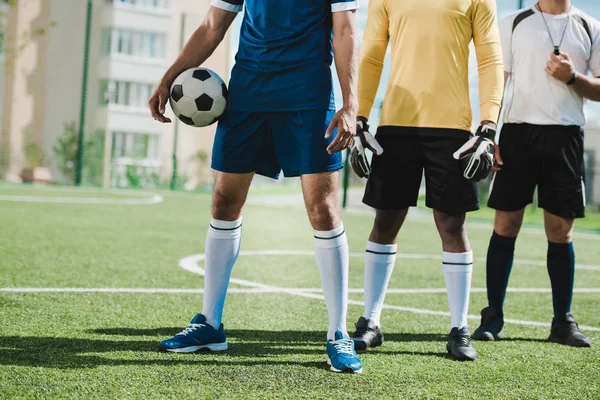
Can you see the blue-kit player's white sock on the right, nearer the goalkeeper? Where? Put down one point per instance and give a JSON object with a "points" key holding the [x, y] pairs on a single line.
{"points": [[331, 249]]}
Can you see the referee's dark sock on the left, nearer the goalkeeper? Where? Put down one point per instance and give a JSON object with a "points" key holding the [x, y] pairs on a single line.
{"points": [[499, 264]]}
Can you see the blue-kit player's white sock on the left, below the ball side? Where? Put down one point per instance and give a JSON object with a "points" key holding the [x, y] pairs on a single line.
{"points": [[222, 249]]}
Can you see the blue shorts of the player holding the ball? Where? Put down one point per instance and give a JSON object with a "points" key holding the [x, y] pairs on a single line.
{"points": [[268, 142]]}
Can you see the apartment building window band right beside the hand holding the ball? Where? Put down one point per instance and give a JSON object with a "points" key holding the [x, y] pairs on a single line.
{"points": [[134, 94]]}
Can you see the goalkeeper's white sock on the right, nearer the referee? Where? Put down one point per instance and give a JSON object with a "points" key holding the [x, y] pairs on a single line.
{"points": [[458, 268]]}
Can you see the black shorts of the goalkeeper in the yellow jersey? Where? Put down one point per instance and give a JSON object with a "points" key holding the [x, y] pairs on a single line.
{"points": [[396, 175]]}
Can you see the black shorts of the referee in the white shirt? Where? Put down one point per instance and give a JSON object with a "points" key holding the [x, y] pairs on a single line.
{"points": [[547, 156]]}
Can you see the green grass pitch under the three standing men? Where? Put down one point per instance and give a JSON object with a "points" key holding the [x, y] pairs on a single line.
{"points": [[104, 344]]}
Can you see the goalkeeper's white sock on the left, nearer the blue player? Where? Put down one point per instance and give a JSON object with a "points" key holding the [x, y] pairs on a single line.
{"points": [[379, 264]]}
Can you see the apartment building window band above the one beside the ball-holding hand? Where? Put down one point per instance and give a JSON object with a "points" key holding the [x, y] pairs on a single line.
{"points": [[134, 43]]}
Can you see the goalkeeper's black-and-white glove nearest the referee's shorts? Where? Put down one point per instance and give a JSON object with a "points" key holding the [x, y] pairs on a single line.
{"points": [[477, 155]]}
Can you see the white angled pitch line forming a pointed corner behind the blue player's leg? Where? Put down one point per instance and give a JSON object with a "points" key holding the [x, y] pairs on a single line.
{"points": [[190, 264]]}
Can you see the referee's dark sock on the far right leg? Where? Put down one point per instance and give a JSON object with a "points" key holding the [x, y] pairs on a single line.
{"points": [[561, 268]]}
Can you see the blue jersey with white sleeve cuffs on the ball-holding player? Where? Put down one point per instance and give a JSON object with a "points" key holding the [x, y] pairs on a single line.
{"points": [[284, 58]]}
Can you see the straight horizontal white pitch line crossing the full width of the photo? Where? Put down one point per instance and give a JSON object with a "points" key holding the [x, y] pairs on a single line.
{"points": [[270, 289]]}
